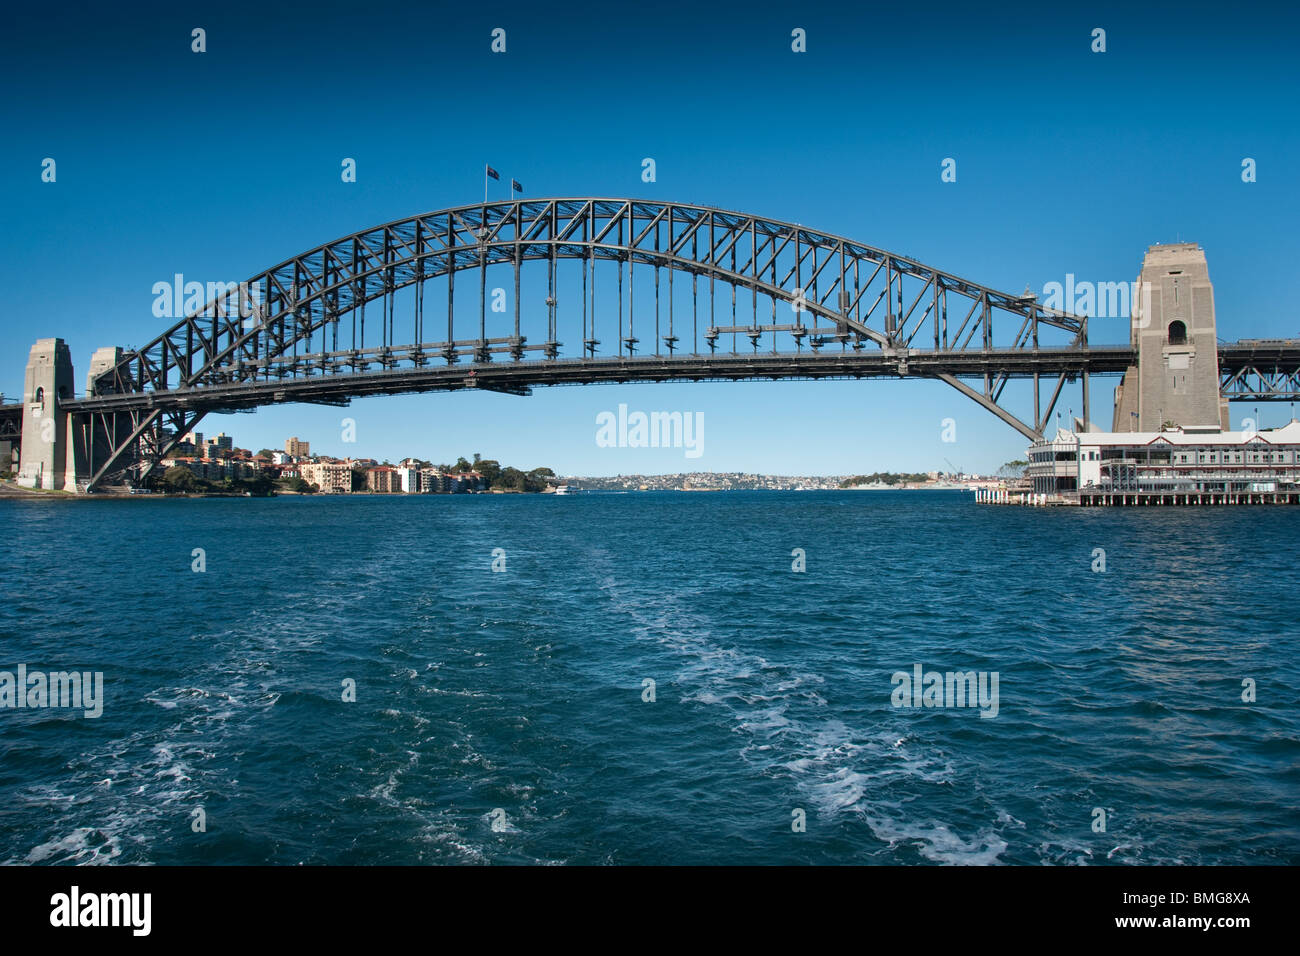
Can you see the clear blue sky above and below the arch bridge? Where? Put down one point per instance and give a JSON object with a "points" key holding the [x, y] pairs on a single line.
{"points": [[218, 166]]}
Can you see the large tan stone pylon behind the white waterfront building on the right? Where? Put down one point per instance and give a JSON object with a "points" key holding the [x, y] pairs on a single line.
{"points": [[1176, 379]]}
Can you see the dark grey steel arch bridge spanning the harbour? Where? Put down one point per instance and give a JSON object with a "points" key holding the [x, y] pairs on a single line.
{"points": [[570, 292]]}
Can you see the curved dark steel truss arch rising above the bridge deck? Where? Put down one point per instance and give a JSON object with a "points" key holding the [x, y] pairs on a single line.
{"points": [[267, 318]]}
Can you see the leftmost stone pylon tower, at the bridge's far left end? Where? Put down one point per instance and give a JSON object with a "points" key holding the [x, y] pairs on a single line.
{"points": [[44, 457]]}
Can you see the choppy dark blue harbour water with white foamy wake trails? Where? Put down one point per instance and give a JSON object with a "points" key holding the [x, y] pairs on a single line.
{"points": [[500, 717]]}
